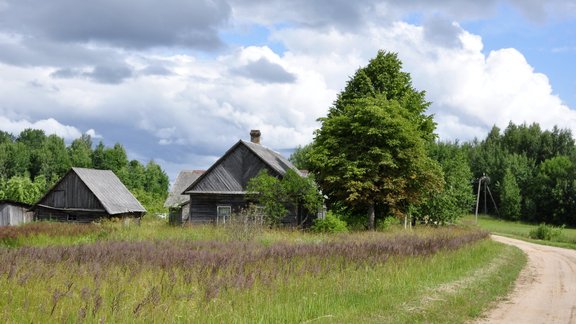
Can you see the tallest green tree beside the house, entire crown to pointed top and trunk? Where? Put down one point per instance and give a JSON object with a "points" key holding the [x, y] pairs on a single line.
{"points": [[370, 149]]}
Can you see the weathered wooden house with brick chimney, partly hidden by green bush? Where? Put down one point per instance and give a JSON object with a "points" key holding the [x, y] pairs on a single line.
{"points": [[221, 190]]}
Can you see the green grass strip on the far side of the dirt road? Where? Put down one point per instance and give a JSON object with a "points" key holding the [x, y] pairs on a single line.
{"points": [[520, 230]]}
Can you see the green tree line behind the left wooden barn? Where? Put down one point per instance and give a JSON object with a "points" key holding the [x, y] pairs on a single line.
{"points": [[32, 162]]}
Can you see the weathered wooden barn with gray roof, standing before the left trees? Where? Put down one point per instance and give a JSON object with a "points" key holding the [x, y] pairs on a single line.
{"points": [[84, 195]]}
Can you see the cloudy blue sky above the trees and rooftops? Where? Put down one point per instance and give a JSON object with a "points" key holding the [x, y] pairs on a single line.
{"points": [[181, 81]]}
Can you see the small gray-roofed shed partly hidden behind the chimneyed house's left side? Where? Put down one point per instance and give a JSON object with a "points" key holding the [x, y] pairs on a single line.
{"points": [[178, 204]]}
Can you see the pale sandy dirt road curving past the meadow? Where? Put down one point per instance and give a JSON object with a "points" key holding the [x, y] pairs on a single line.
{"points": [[545, 291]]}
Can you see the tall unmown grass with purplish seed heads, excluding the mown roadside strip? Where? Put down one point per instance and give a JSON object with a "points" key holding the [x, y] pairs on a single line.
{"points": [[222, 280]]}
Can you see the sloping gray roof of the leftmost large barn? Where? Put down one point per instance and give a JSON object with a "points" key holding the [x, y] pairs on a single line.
{"points": [[109, 190]]}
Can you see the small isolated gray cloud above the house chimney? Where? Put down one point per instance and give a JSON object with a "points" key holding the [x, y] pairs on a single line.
{"points": [[264, 71]]}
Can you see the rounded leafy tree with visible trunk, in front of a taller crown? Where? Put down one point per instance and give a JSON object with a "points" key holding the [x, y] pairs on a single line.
{"points": [[371, 152]]}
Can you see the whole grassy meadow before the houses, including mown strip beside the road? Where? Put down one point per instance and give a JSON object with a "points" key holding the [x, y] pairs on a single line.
{"points": [[157, 273]]}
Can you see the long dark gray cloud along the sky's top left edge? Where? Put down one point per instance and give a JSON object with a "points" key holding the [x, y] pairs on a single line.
{"points": [[127, 24]]}
